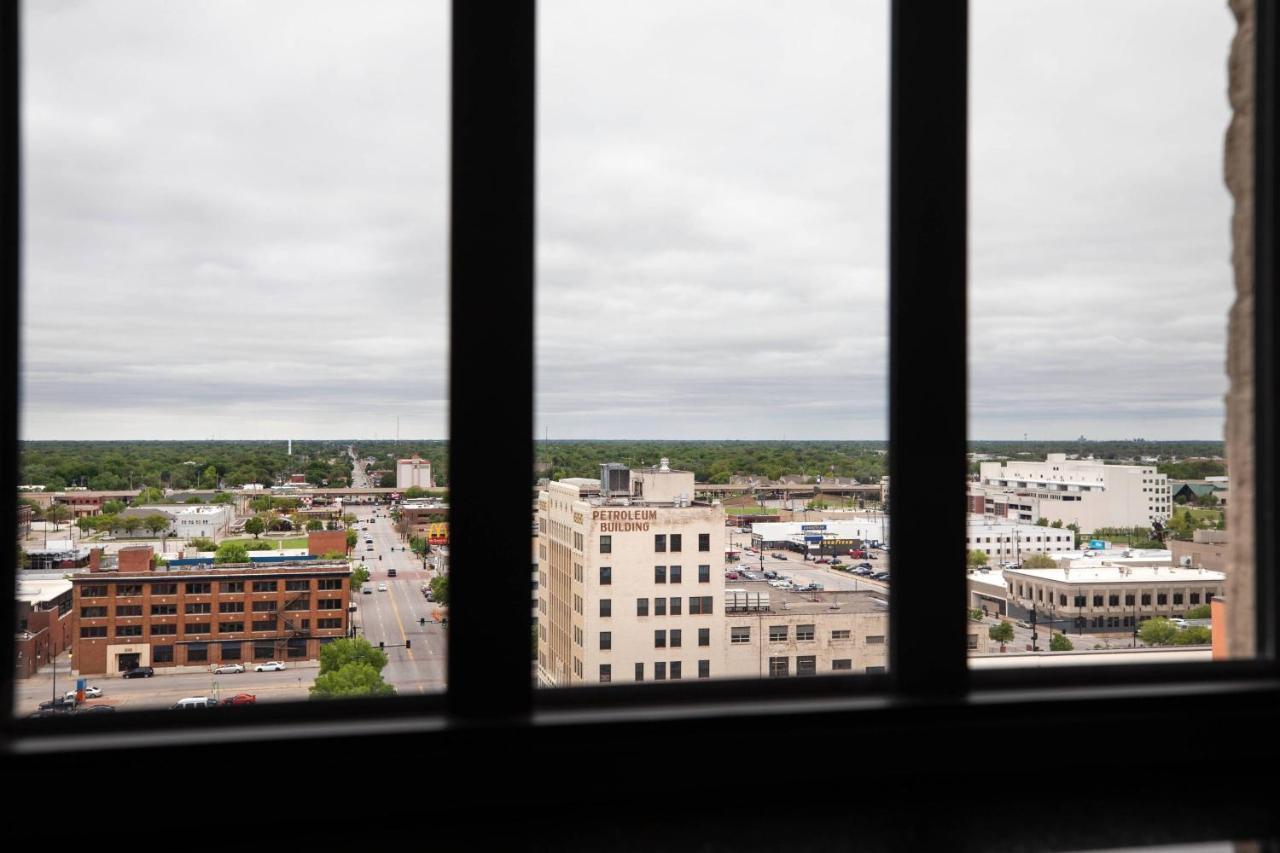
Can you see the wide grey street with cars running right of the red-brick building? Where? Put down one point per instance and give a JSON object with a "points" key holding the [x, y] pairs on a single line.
{"points": [[394, 617]]}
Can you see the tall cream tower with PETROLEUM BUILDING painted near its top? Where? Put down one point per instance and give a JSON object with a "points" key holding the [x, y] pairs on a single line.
{"points": [[632, 580]]}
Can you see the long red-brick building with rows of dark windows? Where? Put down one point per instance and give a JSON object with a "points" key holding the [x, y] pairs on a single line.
{"points": [[207, 615]]}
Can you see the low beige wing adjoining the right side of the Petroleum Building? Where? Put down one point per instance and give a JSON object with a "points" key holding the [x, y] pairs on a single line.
{"points": [[772, 633]]}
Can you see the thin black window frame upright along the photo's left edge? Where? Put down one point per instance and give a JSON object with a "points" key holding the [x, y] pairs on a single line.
{"points": [[11, 194]]}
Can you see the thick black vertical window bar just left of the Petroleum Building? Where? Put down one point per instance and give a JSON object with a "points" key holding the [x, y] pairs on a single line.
{"points": [[491, 399]]}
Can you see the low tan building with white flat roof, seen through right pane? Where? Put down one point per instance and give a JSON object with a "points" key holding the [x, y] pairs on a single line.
{"points": [[1108, 597]]}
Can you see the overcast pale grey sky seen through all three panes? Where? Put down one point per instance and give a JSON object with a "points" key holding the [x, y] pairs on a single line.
{"points": [[236, 220]]}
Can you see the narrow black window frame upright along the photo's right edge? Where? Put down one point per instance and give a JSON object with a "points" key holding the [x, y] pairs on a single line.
{"points": [[1267, 302]]}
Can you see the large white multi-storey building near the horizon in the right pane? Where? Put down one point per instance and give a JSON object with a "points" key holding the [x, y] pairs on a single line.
{"points": [[1084, 492]]}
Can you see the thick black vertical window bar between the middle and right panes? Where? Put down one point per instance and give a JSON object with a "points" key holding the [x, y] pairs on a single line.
{"points": [[929, 404]]}
